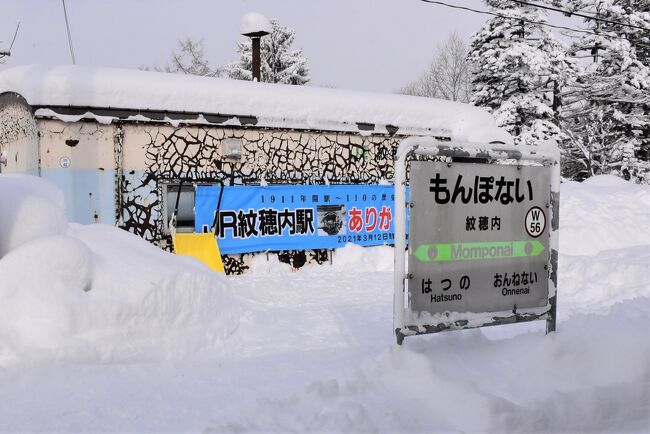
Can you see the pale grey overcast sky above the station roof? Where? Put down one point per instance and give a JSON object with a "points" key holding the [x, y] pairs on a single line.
{"points": [[376, 45]]}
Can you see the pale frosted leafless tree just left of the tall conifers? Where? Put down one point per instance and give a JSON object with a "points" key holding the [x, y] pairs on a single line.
{"points": [[448, 74]]}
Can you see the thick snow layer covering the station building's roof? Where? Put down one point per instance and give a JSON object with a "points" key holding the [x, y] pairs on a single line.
{"points": [[273, 105]]}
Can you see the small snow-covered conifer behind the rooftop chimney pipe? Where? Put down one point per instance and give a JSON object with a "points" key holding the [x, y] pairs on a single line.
{"points": [[279, 63]]}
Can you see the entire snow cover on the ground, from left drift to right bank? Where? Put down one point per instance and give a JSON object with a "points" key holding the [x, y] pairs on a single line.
{"points": [[102, 332]]}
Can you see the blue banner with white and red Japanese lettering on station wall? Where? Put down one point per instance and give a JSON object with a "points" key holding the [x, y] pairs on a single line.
{"points": [[296, 217]]}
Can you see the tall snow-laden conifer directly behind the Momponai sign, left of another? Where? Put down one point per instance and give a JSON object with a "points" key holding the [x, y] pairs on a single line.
{"points": [[518, 69]]}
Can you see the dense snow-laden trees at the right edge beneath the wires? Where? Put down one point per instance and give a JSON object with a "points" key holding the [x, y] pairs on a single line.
{"points": [[607, 116]]}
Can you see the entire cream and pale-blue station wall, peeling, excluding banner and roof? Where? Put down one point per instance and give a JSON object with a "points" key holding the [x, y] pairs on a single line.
{"points": [[115, 173]]}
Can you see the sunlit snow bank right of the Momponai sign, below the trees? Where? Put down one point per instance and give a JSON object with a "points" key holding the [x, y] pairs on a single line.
{"points": [[604, 244]]}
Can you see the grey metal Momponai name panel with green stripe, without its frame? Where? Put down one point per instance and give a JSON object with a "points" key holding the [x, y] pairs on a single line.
{"points": [[478, 237]]}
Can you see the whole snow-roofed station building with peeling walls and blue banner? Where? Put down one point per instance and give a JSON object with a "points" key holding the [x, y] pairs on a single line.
{"points": [[129, 148]]}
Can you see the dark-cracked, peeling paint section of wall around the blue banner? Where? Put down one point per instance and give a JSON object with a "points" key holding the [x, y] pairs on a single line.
{"points": [[157, 154]]}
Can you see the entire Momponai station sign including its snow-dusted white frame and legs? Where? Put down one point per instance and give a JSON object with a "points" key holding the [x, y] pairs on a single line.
{"points": [[482, 237]]}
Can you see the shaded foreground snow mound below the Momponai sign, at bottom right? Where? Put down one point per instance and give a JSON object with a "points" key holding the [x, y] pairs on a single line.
{"points": [[464, 382]]}
